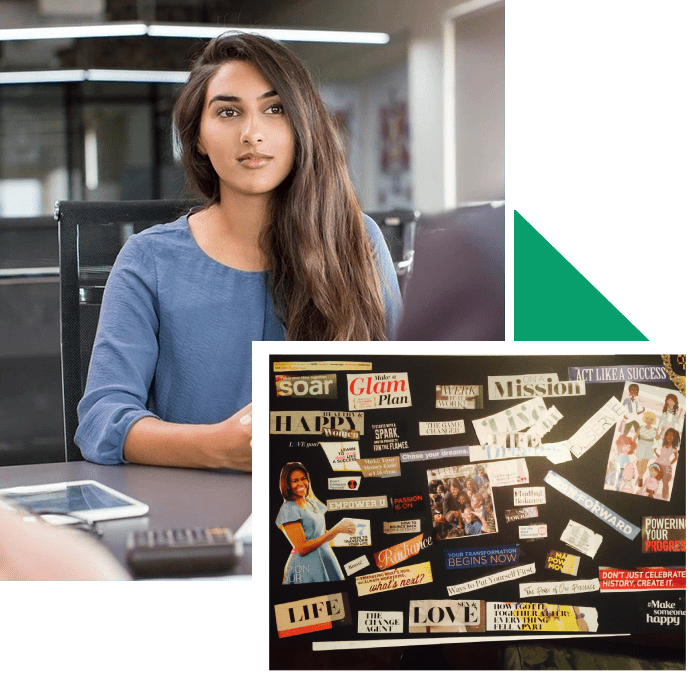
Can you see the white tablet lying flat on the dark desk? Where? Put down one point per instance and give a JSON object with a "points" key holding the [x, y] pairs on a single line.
{"points": [[74, 501]]}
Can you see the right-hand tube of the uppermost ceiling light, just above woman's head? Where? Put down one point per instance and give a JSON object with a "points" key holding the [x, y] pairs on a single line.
{"points": [[286, 34]]}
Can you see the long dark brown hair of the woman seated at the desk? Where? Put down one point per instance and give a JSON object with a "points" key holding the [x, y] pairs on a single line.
{"points": [[319, 258]]}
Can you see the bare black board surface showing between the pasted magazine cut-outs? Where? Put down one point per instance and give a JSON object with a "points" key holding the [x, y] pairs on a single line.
{"points": [[617, 611]]}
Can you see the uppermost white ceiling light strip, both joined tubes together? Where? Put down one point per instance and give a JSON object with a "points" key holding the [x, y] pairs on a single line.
{"points": [[190, 31]]}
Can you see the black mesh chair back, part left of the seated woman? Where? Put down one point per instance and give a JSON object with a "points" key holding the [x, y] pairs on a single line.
{"points": [[90, 236]]}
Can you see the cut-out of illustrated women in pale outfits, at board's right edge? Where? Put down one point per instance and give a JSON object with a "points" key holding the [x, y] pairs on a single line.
{"points": [[646, 442]]}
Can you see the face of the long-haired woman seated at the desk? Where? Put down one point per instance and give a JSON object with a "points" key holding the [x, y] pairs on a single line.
{"points": [[245, 132]]}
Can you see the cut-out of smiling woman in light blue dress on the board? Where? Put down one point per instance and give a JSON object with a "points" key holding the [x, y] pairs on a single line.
{"points": [[302, 520]]}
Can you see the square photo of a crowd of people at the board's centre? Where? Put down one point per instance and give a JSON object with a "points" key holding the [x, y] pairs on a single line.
{"points": [[461, 501]]}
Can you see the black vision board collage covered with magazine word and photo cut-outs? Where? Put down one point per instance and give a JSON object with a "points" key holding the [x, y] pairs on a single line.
{"points": [[424, 497]]}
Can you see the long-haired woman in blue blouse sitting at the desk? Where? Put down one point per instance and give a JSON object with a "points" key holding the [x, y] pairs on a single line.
{"points": [[279, 250]]}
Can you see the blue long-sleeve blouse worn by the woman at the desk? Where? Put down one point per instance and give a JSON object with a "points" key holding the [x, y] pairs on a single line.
{"points": [[174, 337]]}
